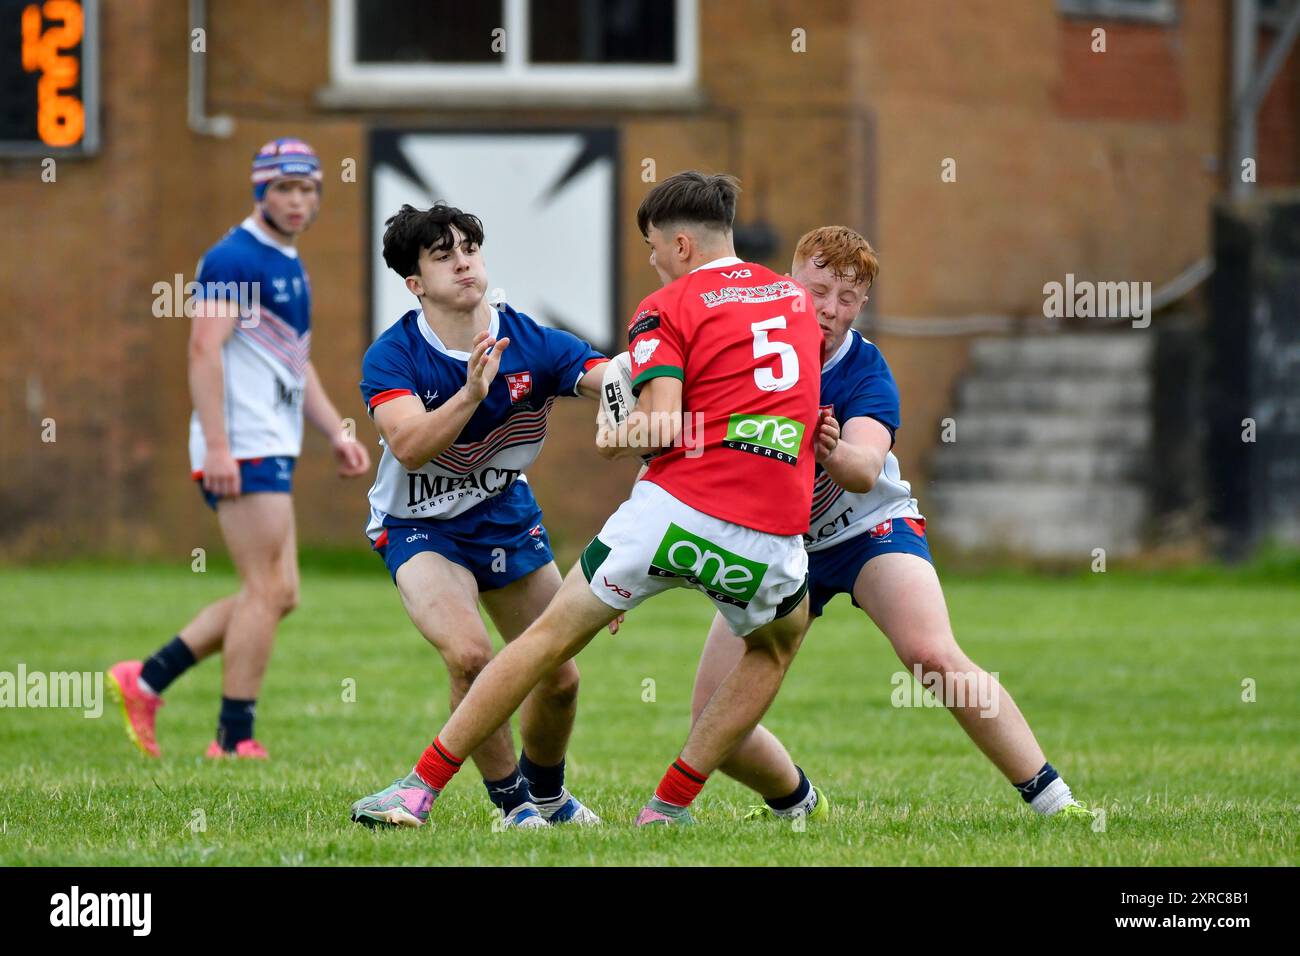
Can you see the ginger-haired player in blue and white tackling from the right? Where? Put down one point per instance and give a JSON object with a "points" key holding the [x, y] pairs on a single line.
{"points": [[866, 539]]}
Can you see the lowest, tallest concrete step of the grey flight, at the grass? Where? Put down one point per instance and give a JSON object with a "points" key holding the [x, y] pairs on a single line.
{"points": [[1042, 521]]}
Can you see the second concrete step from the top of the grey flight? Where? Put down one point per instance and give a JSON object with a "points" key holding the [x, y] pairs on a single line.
{"points": [[1086, 396]]}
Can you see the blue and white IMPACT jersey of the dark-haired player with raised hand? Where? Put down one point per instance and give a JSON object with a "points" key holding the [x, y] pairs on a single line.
{"points": [[502, 438]]}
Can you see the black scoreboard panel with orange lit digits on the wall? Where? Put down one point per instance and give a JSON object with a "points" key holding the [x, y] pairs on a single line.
{"points": [[49, 77]]}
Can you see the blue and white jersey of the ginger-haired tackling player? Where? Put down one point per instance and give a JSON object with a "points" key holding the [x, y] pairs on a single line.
{"points": [[857, 383]]}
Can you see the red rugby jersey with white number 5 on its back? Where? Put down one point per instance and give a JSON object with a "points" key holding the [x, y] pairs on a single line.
{"points": [[747, 347]]}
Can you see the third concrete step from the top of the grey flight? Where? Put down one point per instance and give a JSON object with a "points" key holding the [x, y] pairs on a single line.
{"points": [[1048, 430]]}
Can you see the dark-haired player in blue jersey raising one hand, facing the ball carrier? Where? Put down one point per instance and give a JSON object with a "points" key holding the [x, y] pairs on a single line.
{"points": [[461, 392]]}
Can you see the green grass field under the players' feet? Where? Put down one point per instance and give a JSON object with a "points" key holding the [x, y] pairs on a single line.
{"points": [[1133, 684]]}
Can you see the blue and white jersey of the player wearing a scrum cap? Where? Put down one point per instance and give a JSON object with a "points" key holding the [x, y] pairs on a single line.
{"points": [[265, 362]]}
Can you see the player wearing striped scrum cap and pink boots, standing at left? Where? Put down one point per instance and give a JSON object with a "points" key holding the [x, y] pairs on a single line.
{"points": [[252, 382]]}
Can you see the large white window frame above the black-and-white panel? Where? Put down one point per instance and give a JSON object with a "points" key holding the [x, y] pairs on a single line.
{"points": [[514, 80]]}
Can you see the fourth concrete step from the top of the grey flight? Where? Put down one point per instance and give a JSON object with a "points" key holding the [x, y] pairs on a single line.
{"points": [[1051, 464]]}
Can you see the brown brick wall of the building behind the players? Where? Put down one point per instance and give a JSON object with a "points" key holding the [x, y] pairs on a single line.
{"points": [[1068, 162]]}
